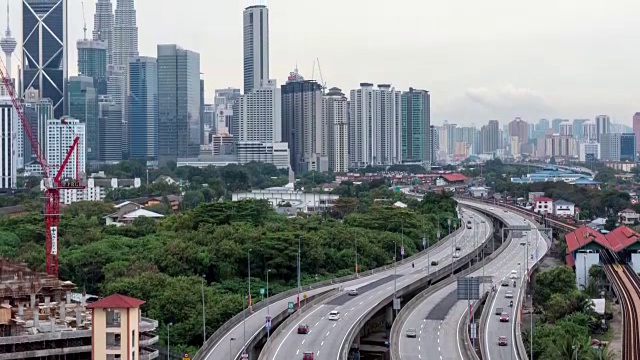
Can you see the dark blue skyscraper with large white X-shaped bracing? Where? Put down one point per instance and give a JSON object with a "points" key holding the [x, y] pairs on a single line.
{"points": [[44, 50]]}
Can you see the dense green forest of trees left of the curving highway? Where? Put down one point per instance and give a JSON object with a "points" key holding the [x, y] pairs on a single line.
{"points": [[163, 261]]}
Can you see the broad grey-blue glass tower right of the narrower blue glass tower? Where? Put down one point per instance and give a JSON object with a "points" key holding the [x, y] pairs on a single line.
{"points": [[178, 103]]}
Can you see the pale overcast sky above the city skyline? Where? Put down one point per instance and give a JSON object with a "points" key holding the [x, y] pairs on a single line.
{"points": [[481, 60]]}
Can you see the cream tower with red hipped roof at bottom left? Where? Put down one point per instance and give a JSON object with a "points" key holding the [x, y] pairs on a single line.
{"points": [[116, 328]]}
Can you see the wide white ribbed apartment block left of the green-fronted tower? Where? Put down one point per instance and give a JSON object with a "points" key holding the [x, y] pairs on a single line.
{"points": [[374, 127]]}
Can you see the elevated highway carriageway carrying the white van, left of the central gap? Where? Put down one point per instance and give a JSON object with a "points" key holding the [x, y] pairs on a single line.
{"points": [[326, 337]]}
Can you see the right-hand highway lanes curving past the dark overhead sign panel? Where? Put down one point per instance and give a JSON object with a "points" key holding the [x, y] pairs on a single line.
{"points": [[437, 318]]}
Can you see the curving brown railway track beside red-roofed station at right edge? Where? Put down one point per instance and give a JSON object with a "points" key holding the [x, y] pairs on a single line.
{"points": [[627, 285]]}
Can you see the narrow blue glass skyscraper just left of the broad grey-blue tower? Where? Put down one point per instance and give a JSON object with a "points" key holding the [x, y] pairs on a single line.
{"points": [[143, 108]]}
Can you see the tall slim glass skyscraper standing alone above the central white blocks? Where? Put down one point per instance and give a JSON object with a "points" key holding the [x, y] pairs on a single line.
{"points": [[256, 46]]}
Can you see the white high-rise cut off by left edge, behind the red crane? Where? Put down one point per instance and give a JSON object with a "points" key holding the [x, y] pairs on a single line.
{"points": [[8, 154]]}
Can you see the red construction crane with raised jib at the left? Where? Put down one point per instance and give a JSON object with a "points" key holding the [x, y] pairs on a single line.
{"points": [[52, 186]]}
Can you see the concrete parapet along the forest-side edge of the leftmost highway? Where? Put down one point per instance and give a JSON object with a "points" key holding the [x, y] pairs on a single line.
{"points": [[237, 319]]}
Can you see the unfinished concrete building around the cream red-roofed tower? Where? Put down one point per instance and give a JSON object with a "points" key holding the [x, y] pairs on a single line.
{"points": [[41, 318]]}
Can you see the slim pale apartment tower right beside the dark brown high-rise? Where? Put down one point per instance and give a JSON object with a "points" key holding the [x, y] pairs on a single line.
{"points": [[335, 114]]}
